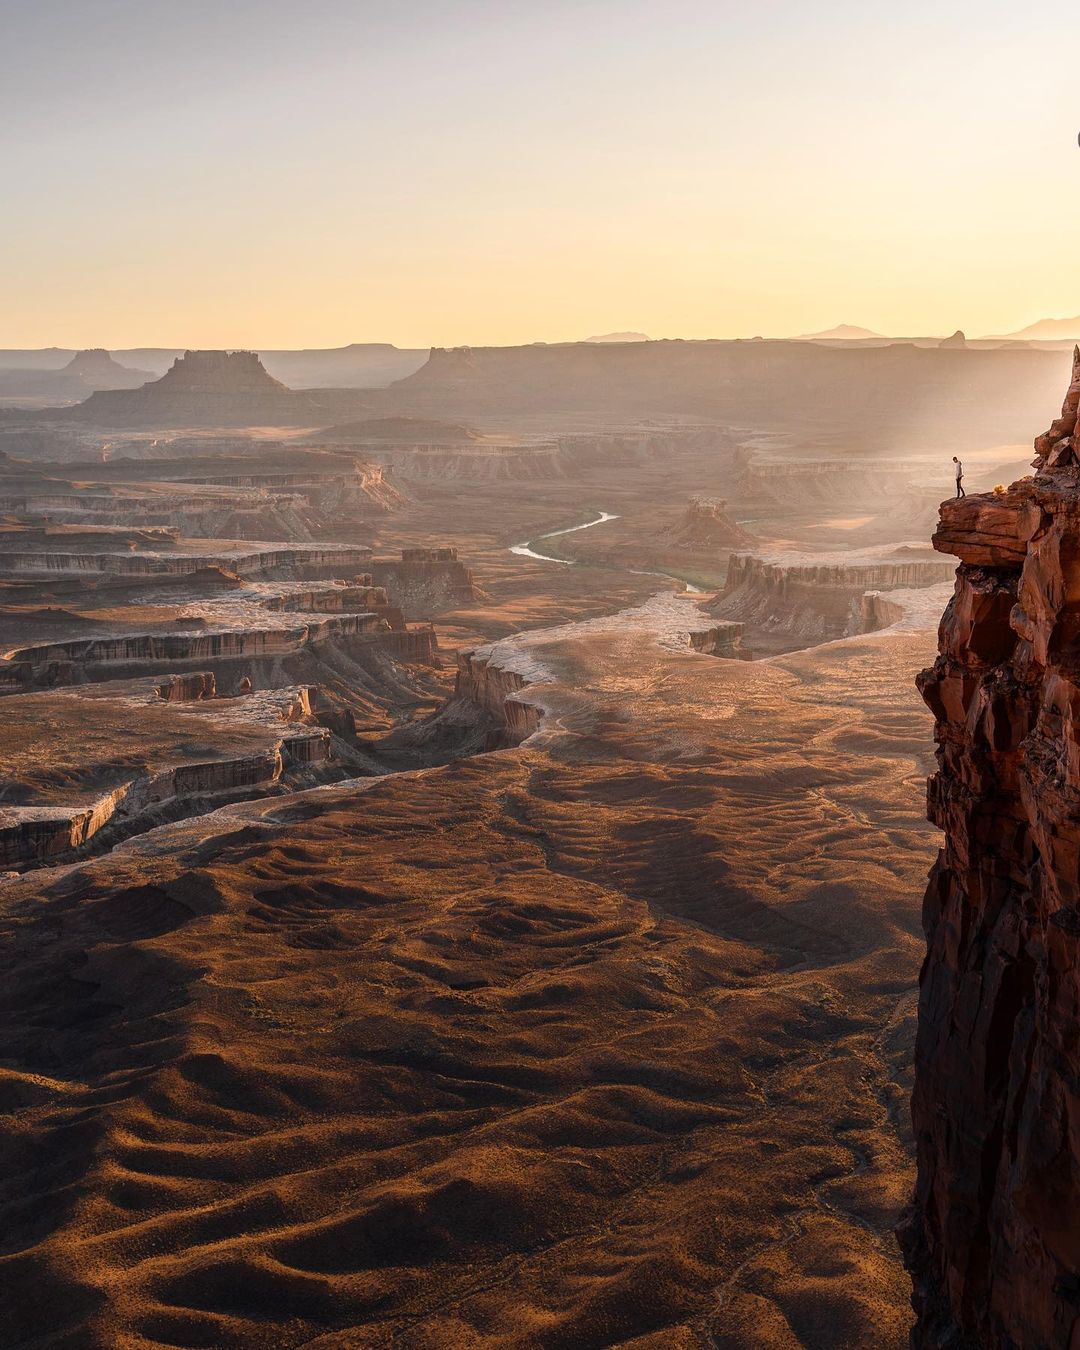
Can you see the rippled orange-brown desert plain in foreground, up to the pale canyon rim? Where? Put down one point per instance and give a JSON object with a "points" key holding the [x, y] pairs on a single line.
{"points": [[599, 1042]]}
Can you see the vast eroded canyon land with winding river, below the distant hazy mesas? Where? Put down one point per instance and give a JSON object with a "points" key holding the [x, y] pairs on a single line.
{"points": [[460, 862]]}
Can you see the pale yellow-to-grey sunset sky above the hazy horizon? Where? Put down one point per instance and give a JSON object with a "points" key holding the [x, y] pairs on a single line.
{"points": [[275, 173]]}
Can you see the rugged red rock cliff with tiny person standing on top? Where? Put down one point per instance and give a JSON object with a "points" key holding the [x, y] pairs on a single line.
{"points": [[994, 1236]]}
